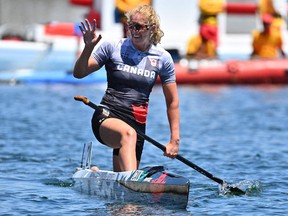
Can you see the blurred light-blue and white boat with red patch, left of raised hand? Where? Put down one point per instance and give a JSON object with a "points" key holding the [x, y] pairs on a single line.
{"points": [[51, 46]]}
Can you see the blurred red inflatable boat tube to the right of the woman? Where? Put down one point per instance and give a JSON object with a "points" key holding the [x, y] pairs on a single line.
{"points": [[233, 72]]}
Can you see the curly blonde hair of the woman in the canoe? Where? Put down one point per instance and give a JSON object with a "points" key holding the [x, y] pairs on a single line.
{"points": [[151, 18]]}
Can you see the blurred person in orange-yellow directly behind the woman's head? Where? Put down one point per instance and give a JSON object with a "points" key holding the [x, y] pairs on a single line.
{"points": [[122, 6]]}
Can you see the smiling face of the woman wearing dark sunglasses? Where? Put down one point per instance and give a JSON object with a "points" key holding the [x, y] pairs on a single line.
{"points": [[140, 31]]}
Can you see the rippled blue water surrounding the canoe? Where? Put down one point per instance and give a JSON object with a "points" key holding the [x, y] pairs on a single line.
{"points": [[237, 133]]}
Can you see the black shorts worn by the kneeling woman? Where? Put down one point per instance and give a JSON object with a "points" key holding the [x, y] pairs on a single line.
{"points": [[97, 120]]}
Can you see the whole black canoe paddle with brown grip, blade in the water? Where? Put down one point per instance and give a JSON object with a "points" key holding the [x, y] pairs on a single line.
{"points": [[230, 188]]}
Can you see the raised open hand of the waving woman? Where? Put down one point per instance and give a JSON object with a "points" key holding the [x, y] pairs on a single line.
{"points": [[89, 34]]}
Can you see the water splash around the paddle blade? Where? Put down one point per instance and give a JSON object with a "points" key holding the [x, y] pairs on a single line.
{"points": [[250, 187]]}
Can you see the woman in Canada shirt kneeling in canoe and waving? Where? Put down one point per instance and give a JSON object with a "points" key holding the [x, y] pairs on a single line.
{"points": [[132, 66]]}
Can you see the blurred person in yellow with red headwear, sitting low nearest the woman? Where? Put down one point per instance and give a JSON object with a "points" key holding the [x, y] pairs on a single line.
{"points": [[201, 46]]}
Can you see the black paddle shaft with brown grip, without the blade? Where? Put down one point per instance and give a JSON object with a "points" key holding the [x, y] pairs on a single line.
{"points": [[155, 143]]}
